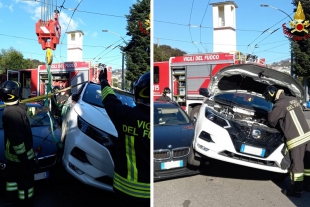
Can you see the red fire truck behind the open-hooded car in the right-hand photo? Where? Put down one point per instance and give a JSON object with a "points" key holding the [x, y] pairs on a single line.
{"points": [[184, 75]]}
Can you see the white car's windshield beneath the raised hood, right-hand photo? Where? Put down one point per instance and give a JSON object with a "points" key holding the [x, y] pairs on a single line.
{"points": [[244, 100]]}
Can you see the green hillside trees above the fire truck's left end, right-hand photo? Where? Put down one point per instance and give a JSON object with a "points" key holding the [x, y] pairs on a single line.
{"points": [[164, 52]]}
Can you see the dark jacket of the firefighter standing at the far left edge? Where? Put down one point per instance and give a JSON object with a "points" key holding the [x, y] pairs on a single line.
{"points": [[17, 134]]}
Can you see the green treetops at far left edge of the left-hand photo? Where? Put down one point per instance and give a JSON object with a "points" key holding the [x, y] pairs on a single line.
{"points": [[12, 59]]}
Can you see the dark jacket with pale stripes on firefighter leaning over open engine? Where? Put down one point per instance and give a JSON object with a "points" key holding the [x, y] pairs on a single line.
{"points": [[288, 113]]}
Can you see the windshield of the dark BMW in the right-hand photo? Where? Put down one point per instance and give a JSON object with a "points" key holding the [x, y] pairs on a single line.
{"points": [[170, 116]]}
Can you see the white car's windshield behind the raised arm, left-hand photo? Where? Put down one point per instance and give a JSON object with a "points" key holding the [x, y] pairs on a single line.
{"points": [[92, 95]]}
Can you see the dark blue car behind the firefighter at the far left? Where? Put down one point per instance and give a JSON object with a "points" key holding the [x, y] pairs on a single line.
{"points": [[45, 144]]}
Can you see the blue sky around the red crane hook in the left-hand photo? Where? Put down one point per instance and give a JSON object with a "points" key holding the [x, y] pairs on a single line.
{"points": [[18, 19]]}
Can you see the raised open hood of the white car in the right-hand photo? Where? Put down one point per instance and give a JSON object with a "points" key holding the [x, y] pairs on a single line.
{"points": [[253, 78]]}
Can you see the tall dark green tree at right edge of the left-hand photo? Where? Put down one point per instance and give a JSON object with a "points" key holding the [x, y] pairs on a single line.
{"points": [[137, 51]]}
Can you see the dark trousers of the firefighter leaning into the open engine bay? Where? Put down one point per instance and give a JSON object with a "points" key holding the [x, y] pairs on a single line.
{"points": [[300, 167]]}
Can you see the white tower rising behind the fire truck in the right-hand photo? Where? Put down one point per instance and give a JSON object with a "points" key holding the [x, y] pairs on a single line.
{"points": [[224, 26]]}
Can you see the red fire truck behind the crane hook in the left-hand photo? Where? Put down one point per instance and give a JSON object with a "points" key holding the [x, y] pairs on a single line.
{"points": [[34, 81]]}
